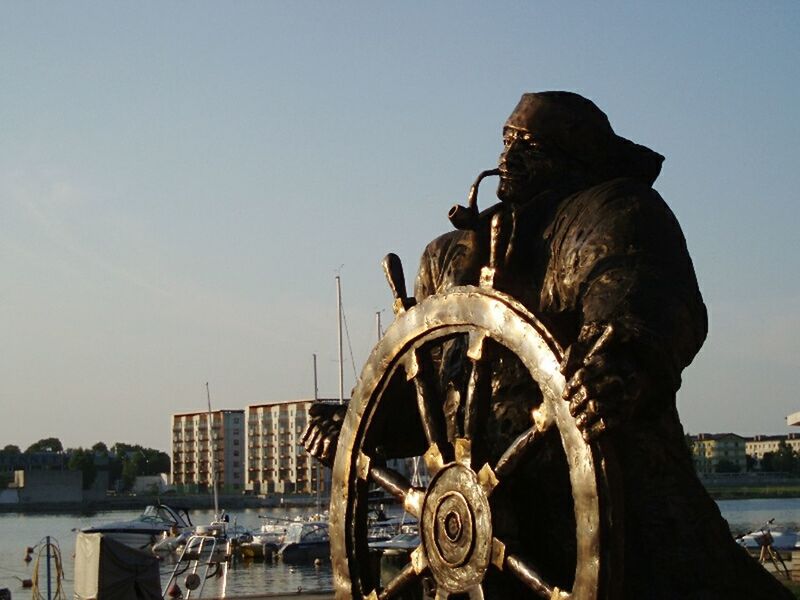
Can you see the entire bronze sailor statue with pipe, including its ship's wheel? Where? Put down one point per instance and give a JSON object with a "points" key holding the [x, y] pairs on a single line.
{"points": [[535, 370]]}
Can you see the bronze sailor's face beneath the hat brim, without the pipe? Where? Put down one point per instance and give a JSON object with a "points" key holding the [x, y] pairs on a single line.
{"points": [[527, 167]]}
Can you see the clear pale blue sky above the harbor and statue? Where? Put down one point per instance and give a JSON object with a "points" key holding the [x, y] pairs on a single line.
{"points": [[180, 183]]}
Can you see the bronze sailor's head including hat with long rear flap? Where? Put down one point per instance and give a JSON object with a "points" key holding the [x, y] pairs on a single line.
{"points": [[561, 140]]}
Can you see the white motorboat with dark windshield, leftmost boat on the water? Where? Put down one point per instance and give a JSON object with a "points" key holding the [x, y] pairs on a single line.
{"points": [[148, 528]]}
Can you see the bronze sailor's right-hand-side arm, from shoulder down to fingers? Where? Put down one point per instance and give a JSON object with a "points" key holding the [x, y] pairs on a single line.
{"points": [[625, 265]]}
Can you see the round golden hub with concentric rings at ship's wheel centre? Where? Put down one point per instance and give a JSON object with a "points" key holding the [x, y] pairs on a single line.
{"points": [[456, 528]]}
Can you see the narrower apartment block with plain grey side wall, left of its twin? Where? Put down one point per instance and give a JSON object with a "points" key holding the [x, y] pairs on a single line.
{"points": [[196, 447]]}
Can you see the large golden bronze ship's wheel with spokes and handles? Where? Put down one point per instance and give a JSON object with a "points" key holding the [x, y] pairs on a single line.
{"points": [[462, 548]]}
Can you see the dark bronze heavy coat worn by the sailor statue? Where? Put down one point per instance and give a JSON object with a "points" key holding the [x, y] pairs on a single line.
{"points": [[614, 253]]}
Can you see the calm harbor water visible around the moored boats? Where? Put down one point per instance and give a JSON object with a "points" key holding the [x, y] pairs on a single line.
{"points": [[19, 531]]}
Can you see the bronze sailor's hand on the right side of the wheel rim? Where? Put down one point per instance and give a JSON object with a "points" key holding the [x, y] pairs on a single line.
{"points": [[603, 381]]}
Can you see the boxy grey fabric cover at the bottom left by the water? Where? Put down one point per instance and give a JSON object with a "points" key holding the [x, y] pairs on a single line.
{"points": [[106, 569]]}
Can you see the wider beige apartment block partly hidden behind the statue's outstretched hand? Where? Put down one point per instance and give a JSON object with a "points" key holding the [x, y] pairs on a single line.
{"points": [[276, 460]]}
